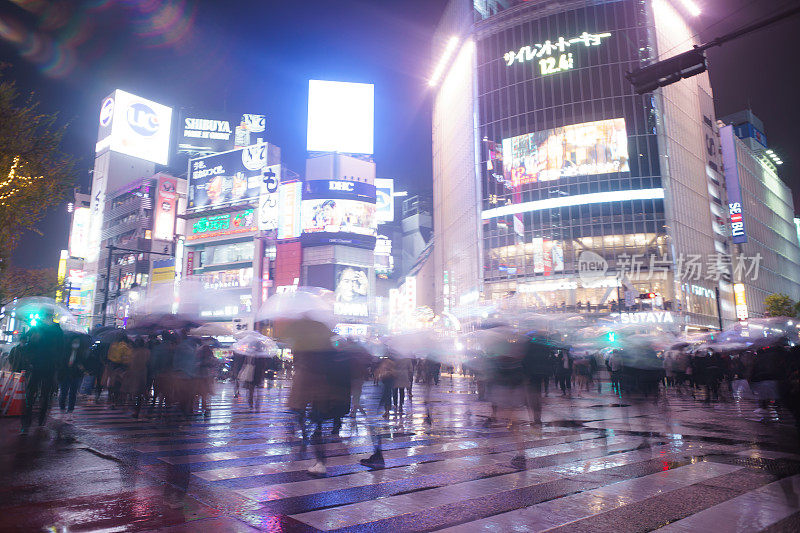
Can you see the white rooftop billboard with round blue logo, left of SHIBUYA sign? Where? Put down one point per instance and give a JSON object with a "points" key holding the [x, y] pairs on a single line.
{"points": [[135, 126]]}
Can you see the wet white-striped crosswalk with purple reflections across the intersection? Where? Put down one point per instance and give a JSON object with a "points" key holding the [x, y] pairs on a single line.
{"points": [[595, 464]]}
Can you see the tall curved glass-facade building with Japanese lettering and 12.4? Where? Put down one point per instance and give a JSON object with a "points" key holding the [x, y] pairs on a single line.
{"points": [[587, 194]]}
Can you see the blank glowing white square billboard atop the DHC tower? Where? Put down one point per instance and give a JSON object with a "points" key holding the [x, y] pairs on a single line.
{"points": [[341, 117]]}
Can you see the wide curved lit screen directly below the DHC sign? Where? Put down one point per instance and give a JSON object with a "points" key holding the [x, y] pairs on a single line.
{"points": [[338, 216]]}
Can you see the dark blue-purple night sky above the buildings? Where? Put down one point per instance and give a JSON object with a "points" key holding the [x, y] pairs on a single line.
{"points": [[257, 56]]}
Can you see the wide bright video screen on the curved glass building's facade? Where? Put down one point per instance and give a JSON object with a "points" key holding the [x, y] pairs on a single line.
{"points": [[583, 149]]}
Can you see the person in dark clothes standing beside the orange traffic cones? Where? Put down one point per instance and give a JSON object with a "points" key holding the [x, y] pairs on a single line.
{"points": [[46, 345]]}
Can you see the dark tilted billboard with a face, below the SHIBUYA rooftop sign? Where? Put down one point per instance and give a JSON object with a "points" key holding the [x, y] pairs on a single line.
{"points": [[229, 177]]}
